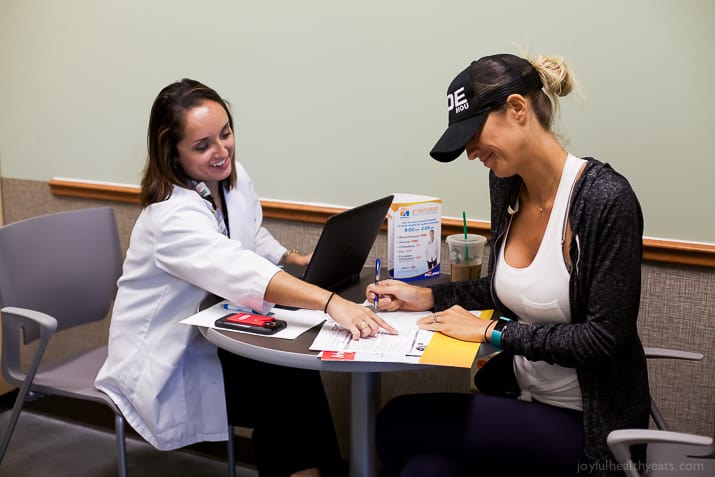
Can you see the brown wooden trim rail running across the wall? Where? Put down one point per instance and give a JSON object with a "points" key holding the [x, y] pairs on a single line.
{"points": [[654, 250]]}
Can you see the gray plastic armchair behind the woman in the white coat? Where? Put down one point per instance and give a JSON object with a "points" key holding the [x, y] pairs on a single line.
{"points": [[59, 271]]}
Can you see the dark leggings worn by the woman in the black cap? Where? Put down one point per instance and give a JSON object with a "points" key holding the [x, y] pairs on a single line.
{"points": [[450, 435]]}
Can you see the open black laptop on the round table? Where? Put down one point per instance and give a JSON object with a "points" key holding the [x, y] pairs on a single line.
{"points": [[343, 246]]}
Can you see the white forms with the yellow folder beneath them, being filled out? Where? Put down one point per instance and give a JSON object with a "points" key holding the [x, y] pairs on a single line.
{"points": [[411, 345]]}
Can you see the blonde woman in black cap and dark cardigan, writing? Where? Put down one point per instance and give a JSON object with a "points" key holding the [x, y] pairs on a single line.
{"points": [[564, 280]]}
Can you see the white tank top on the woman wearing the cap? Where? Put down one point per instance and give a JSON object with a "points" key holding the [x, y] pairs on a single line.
{"points": [[540, 292]]}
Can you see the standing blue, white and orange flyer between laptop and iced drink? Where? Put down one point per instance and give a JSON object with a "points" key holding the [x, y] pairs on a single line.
{"points": [[414, 231]]}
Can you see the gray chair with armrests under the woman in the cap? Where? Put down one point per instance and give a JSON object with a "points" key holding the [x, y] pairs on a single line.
{"points": [[668, 453]]}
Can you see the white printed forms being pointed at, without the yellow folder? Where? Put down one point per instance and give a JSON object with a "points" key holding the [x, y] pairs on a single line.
{"points": [[407, 346]]}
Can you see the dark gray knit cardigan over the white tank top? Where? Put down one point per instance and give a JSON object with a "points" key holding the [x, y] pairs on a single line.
{"points": [[601, 342]]}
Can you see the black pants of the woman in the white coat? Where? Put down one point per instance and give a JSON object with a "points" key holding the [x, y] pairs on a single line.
{"points": [[288, 411]]}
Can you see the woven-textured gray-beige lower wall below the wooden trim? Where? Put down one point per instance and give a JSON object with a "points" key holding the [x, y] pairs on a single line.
{"points": [[677, 311]]}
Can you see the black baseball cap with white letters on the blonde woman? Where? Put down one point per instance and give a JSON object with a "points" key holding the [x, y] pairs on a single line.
{"points": [[484, 85]]}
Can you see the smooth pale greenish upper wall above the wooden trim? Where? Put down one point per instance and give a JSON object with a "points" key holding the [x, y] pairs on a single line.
{"points": [[357, 90]]}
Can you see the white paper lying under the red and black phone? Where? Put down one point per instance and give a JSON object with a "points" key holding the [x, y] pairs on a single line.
{"points": [[298, 321]]}
